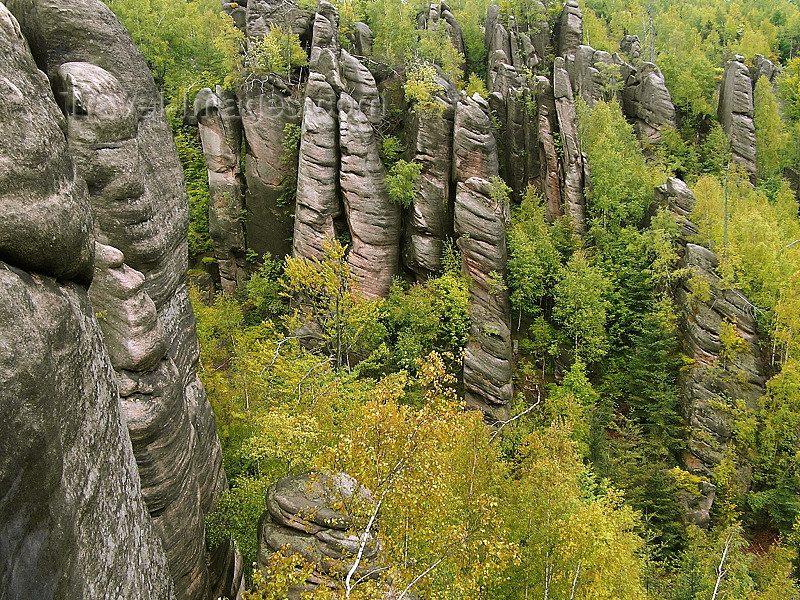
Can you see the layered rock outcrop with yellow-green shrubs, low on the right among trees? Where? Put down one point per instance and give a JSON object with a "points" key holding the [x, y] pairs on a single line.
{"points": [[710, 316]]}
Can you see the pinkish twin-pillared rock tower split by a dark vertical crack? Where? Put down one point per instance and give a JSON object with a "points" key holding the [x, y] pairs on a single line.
{"points": [[339, 122]]}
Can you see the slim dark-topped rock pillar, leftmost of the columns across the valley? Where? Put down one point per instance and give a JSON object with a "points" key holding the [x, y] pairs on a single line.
{"points": [[221, 134]]}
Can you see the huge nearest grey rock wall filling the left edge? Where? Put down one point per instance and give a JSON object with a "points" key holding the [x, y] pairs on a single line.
{"points": [[72, 518]]}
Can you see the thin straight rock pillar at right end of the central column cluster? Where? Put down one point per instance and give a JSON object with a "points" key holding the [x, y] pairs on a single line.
{"points": [[573, 161]]}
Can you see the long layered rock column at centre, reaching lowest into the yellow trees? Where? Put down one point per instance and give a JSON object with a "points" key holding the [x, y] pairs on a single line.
{"points": [[480, 223]]}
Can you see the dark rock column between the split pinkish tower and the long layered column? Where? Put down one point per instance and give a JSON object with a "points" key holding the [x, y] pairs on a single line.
{"points": [[429, 219]]}
